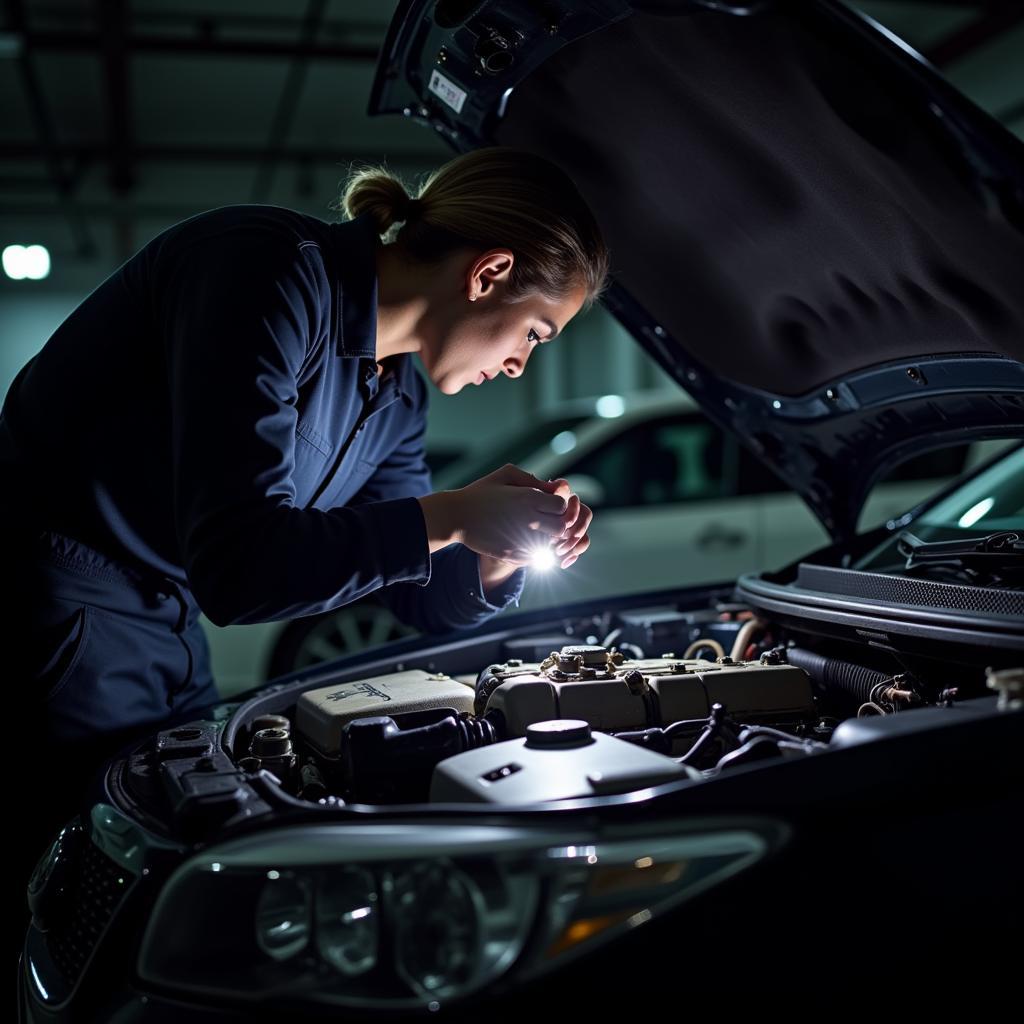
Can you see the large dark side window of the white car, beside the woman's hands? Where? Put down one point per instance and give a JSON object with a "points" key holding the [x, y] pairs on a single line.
{"points": [[669, 460]]}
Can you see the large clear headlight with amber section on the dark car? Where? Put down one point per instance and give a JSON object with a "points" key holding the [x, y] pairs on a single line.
{"points": [[400, 917]]}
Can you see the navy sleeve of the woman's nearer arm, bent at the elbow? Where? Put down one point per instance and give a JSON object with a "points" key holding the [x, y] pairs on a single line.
{"points": [[241, 312]]}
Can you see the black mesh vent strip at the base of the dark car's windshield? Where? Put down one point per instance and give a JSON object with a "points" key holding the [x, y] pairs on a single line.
{"points": [[920, 593]]}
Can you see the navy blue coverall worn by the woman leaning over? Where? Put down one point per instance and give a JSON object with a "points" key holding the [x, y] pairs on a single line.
{"points": [[207, 431]]}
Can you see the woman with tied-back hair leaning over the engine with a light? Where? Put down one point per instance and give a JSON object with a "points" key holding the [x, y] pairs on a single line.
{"points": [[231, 423]]}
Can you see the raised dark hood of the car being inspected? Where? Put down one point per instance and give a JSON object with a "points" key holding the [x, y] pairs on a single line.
{"points": [[818, 236]]}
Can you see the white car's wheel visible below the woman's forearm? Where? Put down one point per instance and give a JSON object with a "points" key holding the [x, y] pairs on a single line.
{"points": [[321, 638]]}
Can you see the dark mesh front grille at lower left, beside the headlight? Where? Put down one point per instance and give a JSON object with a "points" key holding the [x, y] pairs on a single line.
{"points": [[96, 892]]}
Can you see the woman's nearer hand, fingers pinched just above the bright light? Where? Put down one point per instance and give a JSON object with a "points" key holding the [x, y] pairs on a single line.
{"points": [[509, 514]]}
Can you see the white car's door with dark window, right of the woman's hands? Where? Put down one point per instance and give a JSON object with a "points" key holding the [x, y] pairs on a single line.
{"points": [[665, 513]]}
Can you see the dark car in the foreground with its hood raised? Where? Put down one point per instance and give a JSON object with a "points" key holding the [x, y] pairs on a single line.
{"points": [[782, 792]]}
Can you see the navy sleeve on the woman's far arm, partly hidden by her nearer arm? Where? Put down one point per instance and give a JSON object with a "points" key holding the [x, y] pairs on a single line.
{"points": [[454, 596]]}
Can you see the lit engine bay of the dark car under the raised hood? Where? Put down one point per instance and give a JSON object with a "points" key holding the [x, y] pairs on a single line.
{"points": [[604, 705]]}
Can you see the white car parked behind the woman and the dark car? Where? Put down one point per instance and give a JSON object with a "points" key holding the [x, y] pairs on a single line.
{"points": [[676, 501]]}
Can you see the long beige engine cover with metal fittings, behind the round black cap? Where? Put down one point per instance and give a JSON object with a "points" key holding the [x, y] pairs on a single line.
{"points": [[613, 693]]}
